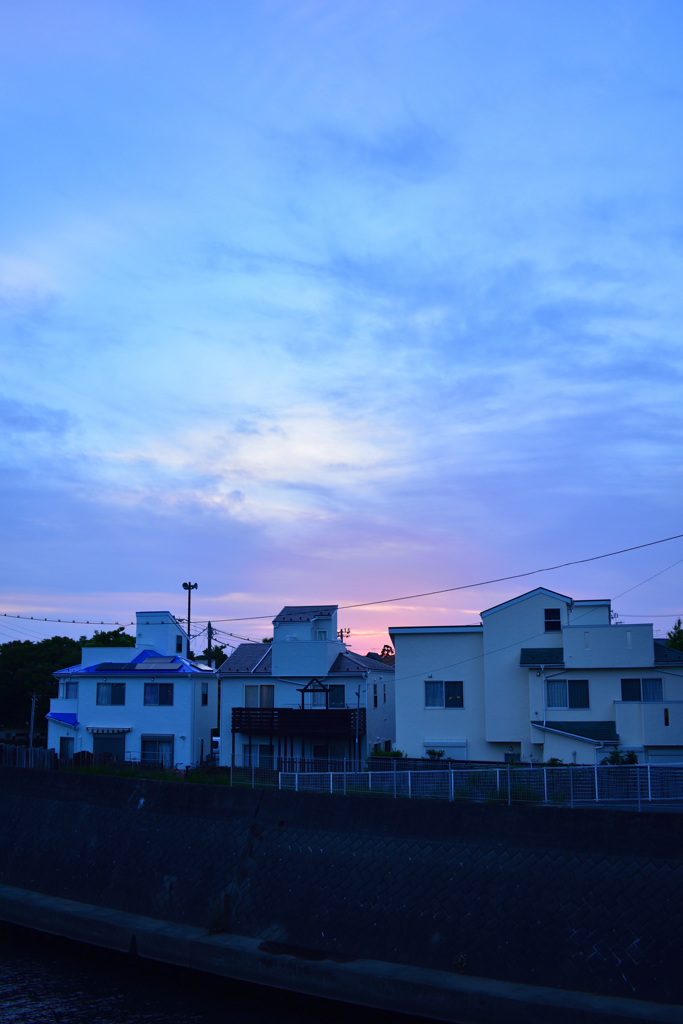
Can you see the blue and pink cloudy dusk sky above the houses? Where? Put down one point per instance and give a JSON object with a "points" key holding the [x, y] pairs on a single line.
{"points": [[317, 302]]}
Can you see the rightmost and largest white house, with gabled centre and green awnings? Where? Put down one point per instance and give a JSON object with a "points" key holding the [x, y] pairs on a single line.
{"points": [[542, 677]]}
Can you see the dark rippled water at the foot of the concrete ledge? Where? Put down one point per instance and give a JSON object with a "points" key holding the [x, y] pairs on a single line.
{"points": [[47, 980]]}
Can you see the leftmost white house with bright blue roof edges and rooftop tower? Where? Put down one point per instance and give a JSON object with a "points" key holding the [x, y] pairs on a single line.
{"points": [[146, 704]]}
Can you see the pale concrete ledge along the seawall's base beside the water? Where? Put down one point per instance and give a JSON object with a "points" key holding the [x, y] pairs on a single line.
{"points": [[422, 993]]}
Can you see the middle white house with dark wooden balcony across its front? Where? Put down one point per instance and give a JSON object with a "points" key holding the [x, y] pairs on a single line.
{"points": [[304, 697]]}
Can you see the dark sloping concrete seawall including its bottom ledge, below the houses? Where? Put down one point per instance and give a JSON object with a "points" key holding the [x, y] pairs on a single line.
{"points": [[479, 899]]}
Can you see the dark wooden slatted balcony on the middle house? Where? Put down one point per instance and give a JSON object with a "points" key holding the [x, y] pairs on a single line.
{"points": [[300, 722]]}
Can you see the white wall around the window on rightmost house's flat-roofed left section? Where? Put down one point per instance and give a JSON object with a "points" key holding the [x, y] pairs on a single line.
{"points": [[449, 654]]}
